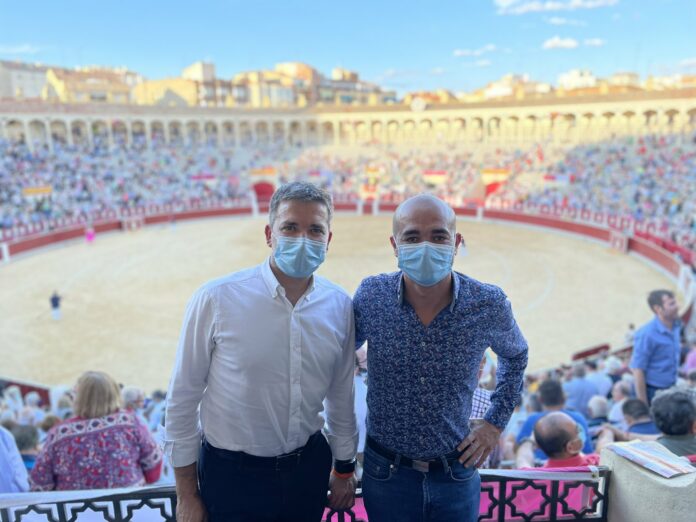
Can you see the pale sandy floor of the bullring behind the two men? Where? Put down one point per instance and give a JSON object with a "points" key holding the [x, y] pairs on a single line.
{"points": [[124, 295]]}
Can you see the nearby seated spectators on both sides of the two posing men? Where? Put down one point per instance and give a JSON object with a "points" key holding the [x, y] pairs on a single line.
{"points": [[566, 417]]}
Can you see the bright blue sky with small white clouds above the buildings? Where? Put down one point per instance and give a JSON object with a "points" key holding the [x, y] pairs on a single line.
{"points": [[458, 45]]}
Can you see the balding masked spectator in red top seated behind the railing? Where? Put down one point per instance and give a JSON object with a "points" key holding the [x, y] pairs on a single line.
{"points": [[558, 435]]}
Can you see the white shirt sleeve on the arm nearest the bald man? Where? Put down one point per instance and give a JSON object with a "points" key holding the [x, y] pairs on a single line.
{"points": [[341, 423]]}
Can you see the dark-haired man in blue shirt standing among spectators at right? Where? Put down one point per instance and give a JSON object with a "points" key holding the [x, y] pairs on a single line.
{"points": [[657, 347]]}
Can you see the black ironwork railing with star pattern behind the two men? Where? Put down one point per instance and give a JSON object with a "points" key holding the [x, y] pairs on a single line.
{"points": [[506, 495]]}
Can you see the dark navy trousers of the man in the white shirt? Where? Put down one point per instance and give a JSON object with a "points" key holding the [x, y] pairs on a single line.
{"points": [[237, 487]]}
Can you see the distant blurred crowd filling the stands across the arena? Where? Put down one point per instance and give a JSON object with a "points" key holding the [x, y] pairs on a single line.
{"points": [[647, 178]]}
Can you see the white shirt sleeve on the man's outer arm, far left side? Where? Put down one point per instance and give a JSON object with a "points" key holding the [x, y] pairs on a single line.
{"points": [[182, 440]]}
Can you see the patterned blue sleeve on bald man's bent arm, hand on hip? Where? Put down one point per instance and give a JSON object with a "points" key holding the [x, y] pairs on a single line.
{"points": [[507, 341]]}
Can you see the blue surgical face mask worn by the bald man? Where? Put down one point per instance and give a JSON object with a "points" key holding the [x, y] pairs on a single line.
{"points": [[426, 263]]}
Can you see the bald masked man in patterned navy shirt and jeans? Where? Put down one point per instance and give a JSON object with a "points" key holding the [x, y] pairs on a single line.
{"points": [[427, 328]]}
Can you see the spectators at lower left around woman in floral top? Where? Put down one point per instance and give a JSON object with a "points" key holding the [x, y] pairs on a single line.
{"points": [[98, 436]]}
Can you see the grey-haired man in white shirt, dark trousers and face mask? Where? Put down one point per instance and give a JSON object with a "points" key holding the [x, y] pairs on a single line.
{"points": [[260, 351]]}
